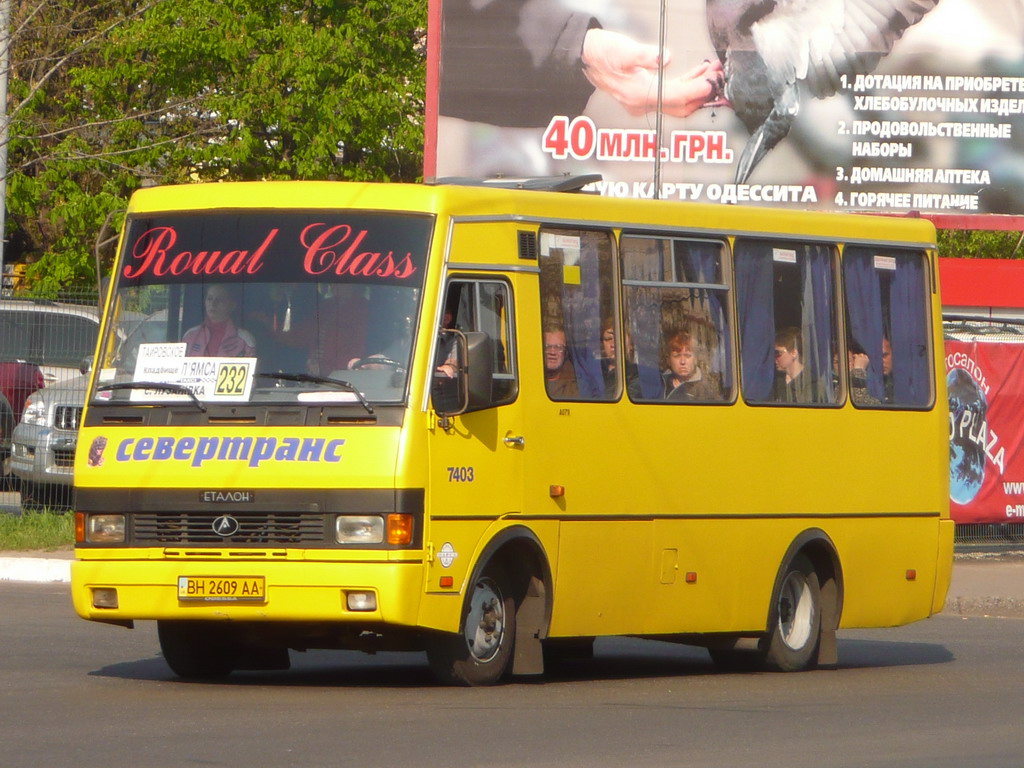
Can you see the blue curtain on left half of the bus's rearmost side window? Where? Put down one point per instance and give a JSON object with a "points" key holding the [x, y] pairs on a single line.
{"points": [[864, 308]]}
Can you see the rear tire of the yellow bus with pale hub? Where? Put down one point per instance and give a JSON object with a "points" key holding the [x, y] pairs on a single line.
{"points": [[796, 619]]}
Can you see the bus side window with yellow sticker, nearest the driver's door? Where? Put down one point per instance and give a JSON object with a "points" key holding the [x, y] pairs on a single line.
{"points": [[578, 291]]}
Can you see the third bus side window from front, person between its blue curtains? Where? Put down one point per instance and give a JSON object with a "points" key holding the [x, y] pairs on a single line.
{"points": [[787, 310]]}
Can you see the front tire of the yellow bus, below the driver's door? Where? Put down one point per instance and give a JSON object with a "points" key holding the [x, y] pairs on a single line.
{"points": [[481, 655]]}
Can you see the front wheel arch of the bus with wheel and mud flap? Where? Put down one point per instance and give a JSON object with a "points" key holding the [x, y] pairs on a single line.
{"points": [[505, 615]]}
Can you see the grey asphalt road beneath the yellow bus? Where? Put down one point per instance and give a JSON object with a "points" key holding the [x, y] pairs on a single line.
{"points": [[944, 693]]}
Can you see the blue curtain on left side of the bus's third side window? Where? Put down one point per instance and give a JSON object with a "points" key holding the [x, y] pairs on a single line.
{"points": [[757, 319]]}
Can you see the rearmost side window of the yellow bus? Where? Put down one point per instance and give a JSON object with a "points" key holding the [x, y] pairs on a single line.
{"points": [[887, 297]]}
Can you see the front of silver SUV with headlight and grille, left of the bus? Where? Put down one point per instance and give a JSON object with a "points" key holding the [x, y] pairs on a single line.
{"points": [[44, 444]]}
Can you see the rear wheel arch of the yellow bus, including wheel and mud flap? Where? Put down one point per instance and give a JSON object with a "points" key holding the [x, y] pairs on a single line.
{"points": [[806, 606]]}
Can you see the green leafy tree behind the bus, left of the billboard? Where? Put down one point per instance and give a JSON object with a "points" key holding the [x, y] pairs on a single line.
{"points": [[177, 92]]}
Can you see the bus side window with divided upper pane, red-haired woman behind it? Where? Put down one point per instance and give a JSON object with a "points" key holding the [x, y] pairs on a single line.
{"points": [[677, 320]]}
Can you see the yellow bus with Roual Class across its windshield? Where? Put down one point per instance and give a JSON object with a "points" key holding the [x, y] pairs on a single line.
{"points": [[494, 424]]}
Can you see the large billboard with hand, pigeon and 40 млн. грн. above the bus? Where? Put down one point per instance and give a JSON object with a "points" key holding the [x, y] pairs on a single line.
{"points": [[889, 106]]}
